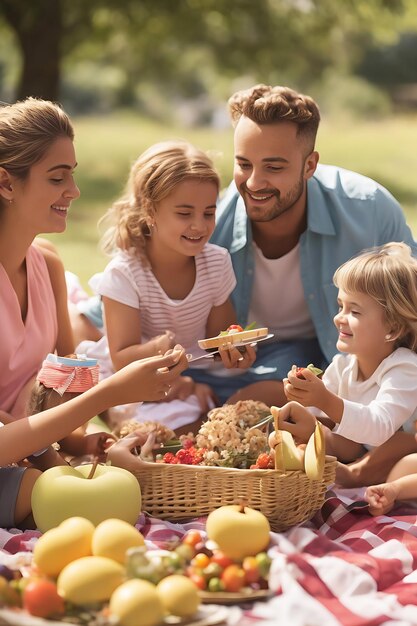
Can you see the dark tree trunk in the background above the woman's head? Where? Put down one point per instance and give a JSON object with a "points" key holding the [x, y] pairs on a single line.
{"points": [[38, 27]]}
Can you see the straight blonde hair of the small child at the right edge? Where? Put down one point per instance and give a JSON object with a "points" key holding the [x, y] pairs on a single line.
{"points": [[388, 274]]}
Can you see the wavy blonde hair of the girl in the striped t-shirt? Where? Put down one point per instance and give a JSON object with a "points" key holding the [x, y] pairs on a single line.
{"points": [[153, 176]]}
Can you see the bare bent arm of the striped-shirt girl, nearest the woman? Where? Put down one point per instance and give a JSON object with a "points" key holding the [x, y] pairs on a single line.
{"points": [[124, 335]]}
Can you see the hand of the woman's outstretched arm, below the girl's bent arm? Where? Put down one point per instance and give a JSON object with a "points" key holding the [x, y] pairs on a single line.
{"points": [[146, 380]]}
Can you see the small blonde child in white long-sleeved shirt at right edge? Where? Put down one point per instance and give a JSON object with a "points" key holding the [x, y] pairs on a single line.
{"points": [[369, 392]]}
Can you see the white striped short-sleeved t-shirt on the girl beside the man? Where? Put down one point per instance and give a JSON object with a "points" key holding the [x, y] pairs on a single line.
{"points": [[127, 280]]}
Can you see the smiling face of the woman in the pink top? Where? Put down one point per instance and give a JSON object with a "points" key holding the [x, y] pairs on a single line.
{"points": [[41, 202]]}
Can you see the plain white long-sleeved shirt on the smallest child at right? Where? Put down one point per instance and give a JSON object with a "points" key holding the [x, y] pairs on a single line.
{"points": [[374, 409]]}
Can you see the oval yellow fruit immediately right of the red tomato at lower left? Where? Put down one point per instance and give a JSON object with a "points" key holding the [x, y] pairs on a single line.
{"points": [[89, 580]]}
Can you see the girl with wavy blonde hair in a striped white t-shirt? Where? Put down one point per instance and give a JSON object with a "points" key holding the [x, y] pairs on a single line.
{"points": [[166, 283]]}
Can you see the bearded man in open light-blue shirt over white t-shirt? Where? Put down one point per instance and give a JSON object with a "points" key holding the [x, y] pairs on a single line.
{"points": [[288, 223]]}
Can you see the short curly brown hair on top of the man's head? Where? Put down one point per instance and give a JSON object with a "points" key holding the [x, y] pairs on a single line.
{"points": [[264, 104]]}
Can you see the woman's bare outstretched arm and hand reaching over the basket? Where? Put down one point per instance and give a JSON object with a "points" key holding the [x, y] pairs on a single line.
{"points": [[146, 380]]}
